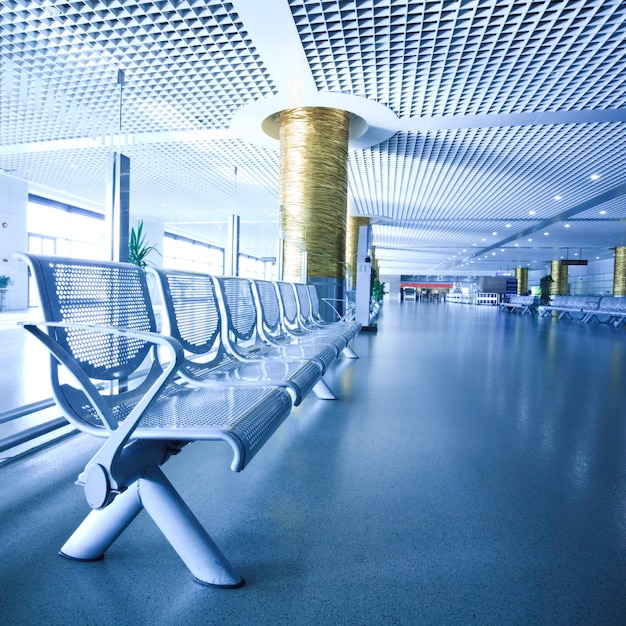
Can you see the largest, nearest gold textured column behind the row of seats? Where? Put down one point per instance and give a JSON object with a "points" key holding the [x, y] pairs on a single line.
{"points": [[314, 190]]}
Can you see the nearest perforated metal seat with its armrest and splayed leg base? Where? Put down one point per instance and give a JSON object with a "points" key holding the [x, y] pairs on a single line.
{"points": [[99, 327]]}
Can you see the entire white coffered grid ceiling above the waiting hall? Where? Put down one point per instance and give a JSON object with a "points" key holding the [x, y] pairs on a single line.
{"points": [[496, 129]]}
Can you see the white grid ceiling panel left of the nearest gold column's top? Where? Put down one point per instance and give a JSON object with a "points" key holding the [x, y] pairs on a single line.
{"points": [[188, 65]]}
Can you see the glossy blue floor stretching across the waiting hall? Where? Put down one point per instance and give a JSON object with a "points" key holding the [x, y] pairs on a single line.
{"points": [[473, 470]]}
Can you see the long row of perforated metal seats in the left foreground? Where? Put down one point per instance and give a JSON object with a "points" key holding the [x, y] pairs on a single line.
{"points": [[232, 359]]}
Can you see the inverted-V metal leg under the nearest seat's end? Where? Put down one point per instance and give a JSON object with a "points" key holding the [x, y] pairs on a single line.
{"points": [[181, 528]]}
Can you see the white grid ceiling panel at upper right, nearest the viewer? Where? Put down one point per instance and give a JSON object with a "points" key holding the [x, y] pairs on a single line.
{"points": [[459, 58]]}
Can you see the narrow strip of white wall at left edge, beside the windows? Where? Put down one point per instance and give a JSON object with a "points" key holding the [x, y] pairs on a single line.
{"points": [[13, 238]]}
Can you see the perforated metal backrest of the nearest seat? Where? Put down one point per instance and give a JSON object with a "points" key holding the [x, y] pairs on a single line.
{"points": [[100, 294]]}
